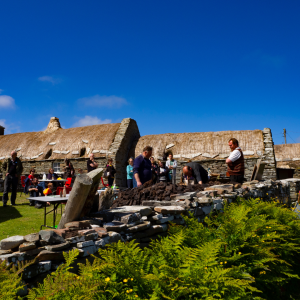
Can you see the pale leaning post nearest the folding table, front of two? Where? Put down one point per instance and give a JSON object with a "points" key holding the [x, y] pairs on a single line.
{"points": [[78, 195]]}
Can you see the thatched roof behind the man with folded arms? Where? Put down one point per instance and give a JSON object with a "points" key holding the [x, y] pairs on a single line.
{"points": [[202, 145]]}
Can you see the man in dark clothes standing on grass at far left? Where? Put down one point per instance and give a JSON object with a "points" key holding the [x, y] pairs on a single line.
{"points": [[12, 169]]}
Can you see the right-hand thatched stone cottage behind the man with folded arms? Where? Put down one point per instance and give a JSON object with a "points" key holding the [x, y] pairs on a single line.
{"points": [[211, 149]]}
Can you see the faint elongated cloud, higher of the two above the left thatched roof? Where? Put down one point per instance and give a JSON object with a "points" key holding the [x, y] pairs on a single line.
{"points": [[103, 101]]}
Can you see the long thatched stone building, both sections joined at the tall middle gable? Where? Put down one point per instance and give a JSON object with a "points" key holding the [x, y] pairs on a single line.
{"points": [[47, 149]]}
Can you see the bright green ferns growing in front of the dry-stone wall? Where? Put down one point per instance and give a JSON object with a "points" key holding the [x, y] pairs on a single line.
{"points": [[250, 251]]}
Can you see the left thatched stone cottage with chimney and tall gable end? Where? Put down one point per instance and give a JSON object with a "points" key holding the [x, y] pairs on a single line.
{"points": [[48, 149]]}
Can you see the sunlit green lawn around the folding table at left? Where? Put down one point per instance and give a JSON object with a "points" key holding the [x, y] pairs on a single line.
{"points": [[23, 219]]}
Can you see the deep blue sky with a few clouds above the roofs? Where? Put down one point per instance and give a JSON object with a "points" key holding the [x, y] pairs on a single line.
{"points": [[173, 66]]}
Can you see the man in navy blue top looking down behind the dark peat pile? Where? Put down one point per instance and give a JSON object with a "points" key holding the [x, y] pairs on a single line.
{"points": [[142, 167]]}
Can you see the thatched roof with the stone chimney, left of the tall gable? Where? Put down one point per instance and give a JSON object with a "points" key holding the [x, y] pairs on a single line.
{"points": [[63, 143]]}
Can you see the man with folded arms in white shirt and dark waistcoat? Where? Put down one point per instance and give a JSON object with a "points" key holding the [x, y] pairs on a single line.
{"points": [[235, 162]]}
